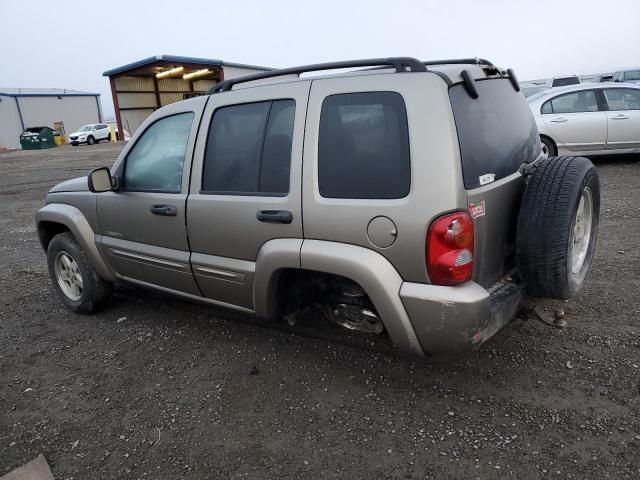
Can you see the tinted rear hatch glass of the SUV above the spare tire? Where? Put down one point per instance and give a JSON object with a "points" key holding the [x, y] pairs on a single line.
{"points": [[496, 131]]}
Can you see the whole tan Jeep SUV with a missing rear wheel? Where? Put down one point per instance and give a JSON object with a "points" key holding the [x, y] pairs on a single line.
{"points": [[407, 197]]}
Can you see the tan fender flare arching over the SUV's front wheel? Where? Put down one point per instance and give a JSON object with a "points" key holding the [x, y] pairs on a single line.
{"points": [[75, 221]]}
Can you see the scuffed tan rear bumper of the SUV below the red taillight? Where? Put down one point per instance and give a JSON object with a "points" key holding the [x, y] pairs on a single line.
{"points": [[459, 319]]}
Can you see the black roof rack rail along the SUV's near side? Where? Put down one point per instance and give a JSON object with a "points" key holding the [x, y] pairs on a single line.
{"points": [[401, 64]]}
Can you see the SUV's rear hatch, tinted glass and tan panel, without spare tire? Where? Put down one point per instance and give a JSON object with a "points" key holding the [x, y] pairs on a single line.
{"points": [[496, 134]]}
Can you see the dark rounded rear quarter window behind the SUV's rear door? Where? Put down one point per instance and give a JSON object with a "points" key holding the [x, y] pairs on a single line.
{"points": [[363, 148]]}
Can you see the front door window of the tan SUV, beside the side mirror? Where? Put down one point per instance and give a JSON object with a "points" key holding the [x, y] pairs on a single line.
{"points": [[156, 160]]}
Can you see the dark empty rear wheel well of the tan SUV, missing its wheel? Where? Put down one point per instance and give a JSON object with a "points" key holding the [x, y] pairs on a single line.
{"points": [[298, 288]]}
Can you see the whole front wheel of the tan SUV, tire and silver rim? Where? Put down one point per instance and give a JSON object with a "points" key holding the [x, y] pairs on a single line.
{"points": [[73, 276]]}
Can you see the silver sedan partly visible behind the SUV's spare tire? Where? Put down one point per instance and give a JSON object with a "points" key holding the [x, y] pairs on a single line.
{"points": [[588, 119]]}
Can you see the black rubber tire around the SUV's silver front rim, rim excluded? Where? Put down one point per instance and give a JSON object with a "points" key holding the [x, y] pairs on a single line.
{"points": [[95, 292]]}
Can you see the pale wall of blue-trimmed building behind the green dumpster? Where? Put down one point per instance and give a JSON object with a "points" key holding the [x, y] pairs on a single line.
{"points": [[74, 111]]}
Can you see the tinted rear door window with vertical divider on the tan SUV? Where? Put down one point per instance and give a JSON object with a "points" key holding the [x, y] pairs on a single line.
{"points": [[249, 149]]}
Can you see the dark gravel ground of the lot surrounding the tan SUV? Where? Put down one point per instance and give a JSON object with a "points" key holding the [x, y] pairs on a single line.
{"points": [[154, 387]]}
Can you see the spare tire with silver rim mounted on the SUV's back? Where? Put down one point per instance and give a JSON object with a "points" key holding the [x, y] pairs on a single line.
{"points": [[558, 226]]}
